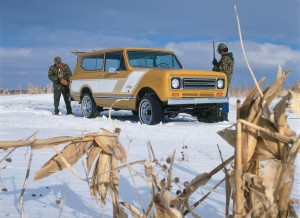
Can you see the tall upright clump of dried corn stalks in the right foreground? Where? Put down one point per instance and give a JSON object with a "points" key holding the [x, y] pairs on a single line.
{"points": [[268, 137]]}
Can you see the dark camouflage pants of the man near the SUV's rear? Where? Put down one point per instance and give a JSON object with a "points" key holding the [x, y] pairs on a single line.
{"points": [[65, 91]]}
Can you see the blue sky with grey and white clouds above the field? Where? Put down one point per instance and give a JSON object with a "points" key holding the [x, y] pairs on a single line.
{"points": [[33, 32]]}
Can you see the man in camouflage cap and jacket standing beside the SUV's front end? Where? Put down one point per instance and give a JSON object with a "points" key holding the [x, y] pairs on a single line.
{"points": [[225, 65]]}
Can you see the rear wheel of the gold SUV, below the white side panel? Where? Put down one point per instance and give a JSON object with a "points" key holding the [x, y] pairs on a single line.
{"points": [[89, 108]]}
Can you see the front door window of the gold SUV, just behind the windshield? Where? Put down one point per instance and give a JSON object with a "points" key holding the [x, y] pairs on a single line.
{"points": [[114, 62]]}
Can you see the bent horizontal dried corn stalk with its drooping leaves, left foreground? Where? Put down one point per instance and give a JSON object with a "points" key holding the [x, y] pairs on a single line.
{"points": [[103, 151]]}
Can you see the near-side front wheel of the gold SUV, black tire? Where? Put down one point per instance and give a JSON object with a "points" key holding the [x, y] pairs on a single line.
{"points": [[150, 110]]}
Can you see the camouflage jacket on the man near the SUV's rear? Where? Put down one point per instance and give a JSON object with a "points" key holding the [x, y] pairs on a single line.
{"points": [[55, 74]]}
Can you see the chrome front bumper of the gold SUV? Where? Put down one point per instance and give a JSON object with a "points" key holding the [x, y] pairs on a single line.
{"points": [[183, 101]]}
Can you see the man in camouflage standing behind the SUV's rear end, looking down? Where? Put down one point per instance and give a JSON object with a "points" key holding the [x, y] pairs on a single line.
{"points": [[60, 73]]}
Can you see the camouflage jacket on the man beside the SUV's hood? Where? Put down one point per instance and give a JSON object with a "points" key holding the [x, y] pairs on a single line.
{"points": [[226, 65]]}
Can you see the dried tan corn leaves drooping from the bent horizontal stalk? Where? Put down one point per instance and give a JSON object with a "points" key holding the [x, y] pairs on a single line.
{"points": [[103, 152]]}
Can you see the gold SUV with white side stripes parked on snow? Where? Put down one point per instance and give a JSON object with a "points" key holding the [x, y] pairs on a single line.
{"points": [[150, 82]]}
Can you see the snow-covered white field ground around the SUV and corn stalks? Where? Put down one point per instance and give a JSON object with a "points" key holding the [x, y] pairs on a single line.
{"points": [[23, 115]]}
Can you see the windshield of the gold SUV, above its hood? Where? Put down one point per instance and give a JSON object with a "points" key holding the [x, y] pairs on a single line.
{"points": [[150, 59]]}
